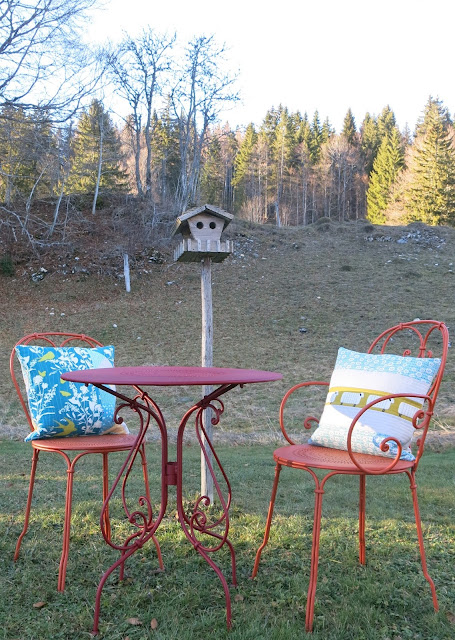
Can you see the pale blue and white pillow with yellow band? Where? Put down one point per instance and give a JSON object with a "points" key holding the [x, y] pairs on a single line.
{"points": [[359, 378]]}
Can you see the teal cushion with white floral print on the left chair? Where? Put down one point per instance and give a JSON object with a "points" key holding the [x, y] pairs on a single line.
{"points": [[60, 408]]}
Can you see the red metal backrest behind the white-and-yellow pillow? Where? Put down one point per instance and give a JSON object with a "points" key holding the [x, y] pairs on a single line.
{"points": [[419, 339]]}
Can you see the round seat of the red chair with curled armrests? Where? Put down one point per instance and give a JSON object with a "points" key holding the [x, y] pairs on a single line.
{"points": [[300, 456]]}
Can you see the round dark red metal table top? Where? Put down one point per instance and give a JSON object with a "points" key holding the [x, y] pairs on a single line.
{"points": [[170, 376]]}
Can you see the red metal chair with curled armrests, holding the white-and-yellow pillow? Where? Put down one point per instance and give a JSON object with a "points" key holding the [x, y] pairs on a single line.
{"points": [[412, 338]]}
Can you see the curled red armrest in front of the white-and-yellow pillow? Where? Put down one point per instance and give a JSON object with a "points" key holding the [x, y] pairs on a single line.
{"points": [[423, 414]]}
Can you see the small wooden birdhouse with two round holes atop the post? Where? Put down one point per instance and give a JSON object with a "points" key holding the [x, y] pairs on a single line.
{"points": [[201, 229]]}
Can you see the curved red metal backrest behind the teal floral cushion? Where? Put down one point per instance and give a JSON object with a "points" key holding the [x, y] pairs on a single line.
{"points": [[52, 339]]}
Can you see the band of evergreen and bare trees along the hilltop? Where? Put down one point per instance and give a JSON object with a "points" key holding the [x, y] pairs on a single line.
{"points": [[69, 151]]}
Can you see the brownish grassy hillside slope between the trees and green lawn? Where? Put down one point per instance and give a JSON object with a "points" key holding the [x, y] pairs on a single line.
{"points": [[286, 300]]}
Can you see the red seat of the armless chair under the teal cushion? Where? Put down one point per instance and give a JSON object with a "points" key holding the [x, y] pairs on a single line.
{"points": [[102, 443]]}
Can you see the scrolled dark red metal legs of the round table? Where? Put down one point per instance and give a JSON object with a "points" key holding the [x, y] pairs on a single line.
{"points": [[197, 526]]}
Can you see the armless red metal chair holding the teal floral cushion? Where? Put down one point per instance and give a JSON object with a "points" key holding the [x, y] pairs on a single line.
{"points": [[81, 446]]}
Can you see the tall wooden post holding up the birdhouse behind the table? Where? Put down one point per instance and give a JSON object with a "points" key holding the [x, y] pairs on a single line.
{"points": [[207, 361]]}
